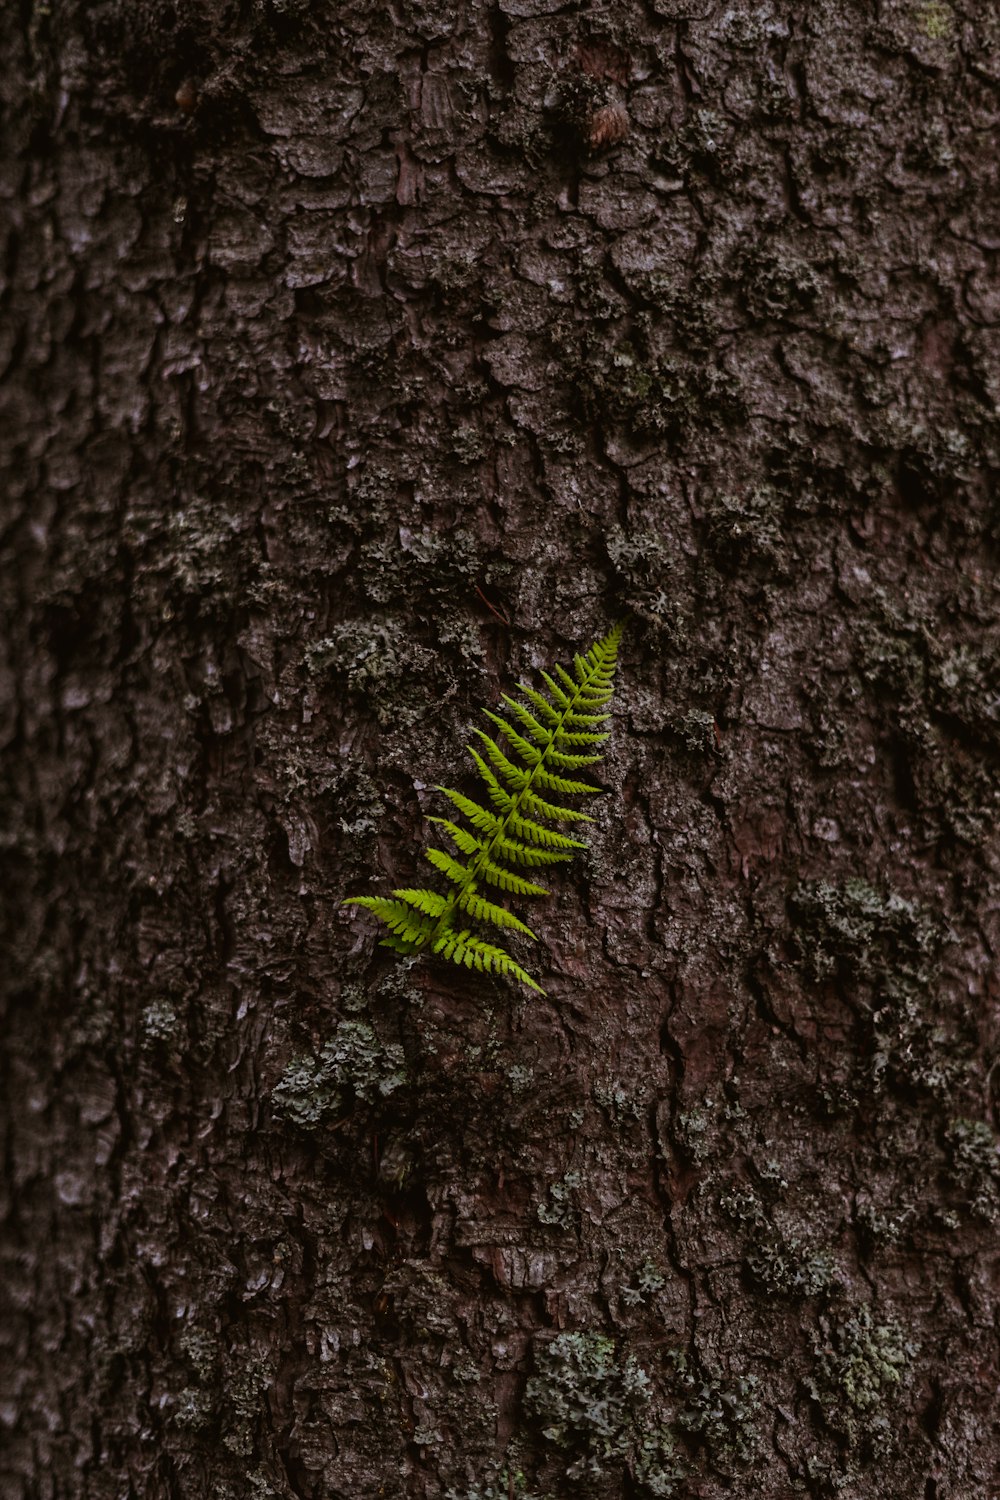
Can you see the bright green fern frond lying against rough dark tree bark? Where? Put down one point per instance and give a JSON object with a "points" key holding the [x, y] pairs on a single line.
{"points": [[542, 742]]}
